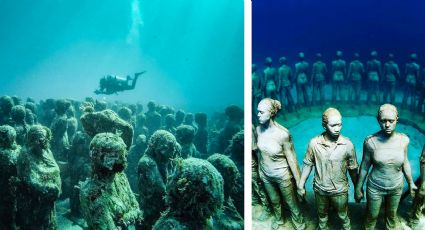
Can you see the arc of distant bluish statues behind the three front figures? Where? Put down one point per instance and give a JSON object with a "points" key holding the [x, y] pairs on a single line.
{"points": [[380, 80]]}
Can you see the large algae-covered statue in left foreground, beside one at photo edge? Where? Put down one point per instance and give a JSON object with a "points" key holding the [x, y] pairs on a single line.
{"points": [[40, 182]]}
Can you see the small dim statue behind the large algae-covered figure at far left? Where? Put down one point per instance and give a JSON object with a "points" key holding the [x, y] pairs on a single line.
{"points": [[18, 114]]}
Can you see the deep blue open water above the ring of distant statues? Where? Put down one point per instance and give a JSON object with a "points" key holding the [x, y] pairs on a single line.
{"points": [[284, 28]]}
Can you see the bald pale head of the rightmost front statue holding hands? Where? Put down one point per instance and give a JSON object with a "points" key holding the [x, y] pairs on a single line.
{"points": [[387, 118]]}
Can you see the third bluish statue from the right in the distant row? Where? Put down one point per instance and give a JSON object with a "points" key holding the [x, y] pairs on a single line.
{"points": [[373, 75]]}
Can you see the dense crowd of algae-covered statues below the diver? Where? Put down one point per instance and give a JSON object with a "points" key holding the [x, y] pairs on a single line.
{"points": [[120, 167]]}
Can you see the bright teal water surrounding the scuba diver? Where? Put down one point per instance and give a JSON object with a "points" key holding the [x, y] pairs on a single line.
{"points": [[192, 50]]}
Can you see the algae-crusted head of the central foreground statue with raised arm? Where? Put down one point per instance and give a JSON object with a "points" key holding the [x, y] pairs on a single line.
{"points": [[108, 153]]}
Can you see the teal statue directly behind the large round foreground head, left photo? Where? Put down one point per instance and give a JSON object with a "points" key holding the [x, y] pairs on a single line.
{"points": [[185, 135]]}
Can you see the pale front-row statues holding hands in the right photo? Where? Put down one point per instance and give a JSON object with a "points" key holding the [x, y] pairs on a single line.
{"points": [[331, 155]]}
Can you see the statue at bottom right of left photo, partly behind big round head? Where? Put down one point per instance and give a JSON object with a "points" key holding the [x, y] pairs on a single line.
{"points": [[228, 217]]}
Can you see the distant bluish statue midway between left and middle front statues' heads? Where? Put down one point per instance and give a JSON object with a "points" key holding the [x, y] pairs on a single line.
{"points": [[301, 73]]}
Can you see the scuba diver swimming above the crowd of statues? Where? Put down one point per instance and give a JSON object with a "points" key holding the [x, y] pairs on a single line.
{"points": [[111, 84]]}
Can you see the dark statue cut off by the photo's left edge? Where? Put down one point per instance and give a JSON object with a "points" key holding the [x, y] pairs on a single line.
{"points": [[9, 152]]}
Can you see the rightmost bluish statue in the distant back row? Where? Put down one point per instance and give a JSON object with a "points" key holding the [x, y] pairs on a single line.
{"points": [[411, 79]]}
